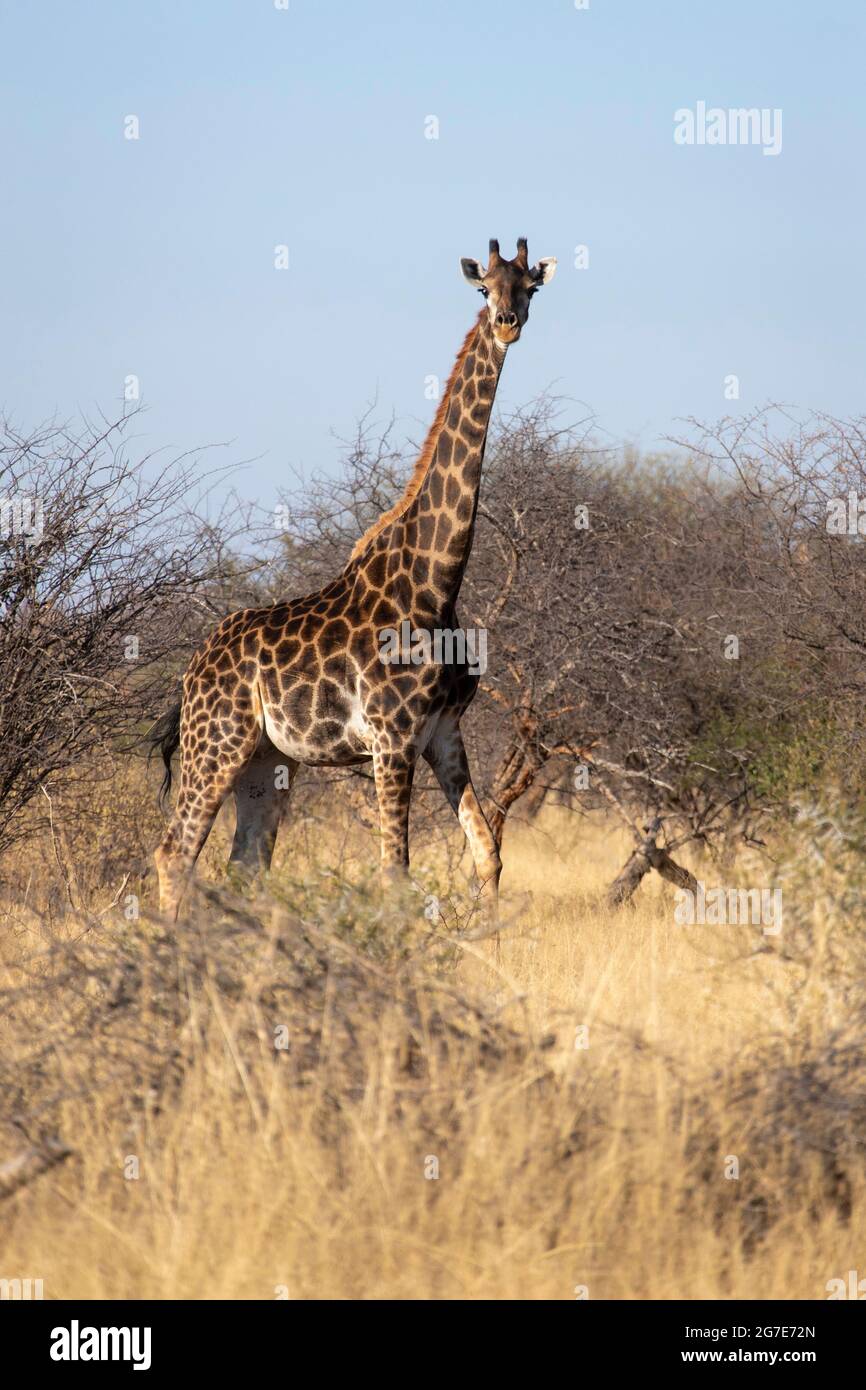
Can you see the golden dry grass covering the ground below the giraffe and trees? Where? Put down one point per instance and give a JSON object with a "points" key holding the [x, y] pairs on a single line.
{"points": [[558, 1166]]}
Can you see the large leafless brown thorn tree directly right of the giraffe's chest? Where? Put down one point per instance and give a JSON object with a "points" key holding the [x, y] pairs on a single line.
{"points": [[653, 641]]}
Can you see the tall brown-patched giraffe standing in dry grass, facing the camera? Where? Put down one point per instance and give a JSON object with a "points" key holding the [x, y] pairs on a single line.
{"points": [[308, 680]]}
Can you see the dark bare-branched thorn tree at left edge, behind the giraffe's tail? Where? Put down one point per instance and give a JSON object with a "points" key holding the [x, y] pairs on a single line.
{"points": [[104, 568]]}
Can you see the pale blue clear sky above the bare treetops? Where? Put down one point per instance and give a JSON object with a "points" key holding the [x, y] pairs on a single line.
{"points": [[262, 127]]}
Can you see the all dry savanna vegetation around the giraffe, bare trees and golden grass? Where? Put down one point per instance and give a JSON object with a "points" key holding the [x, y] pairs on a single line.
{"points": [[308, 1090]]}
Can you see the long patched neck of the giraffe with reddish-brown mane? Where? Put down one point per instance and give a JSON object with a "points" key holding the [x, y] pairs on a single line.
{"points": [[437, 526]]}
